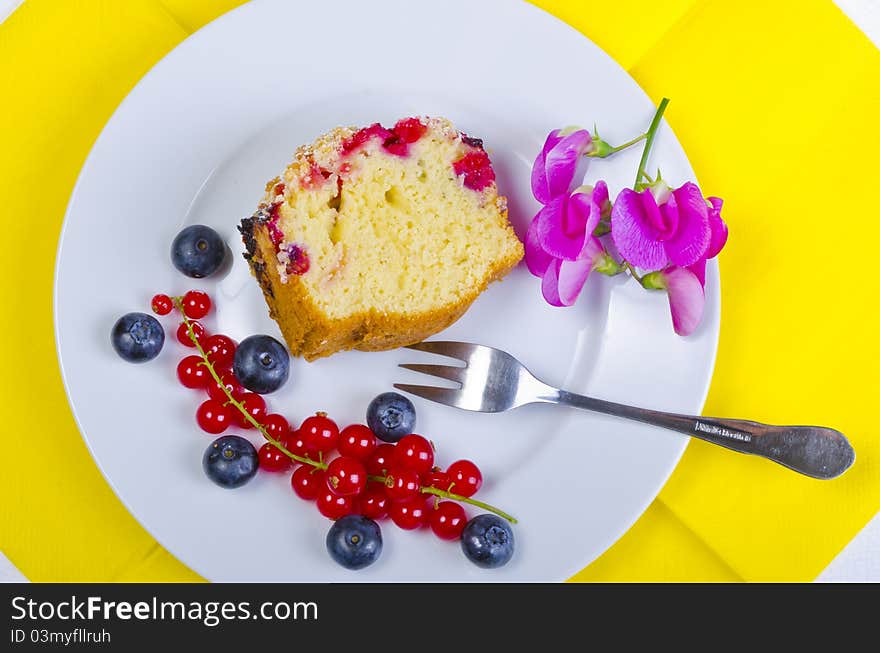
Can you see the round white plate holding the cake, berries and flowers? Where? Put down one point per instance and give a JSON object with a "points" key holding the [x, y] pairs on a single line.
{"points": [[196, 140]]}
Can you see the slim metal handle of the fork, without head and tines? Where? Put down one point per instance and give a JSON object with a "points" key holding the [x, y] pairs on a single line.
{"points": [[815, 451]]}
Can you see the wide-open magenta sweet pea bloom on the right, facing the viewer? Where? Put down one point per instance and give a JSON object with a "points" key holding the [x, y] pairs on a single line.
{"points": [[652, 235]]}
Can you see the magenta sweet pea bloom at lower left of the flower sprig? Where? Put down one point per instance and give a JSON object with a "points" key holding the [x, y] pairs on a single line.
{"points": [[560, 245]]}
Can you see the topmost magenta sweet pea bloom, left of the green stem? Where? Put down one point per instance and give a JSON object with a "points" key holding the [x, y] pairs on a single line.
{"points": [[559, 166]]}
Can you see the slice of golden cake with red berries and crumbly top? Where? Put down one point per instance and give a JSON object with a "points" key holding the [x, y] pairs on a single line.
{"points": [[377, 238]]}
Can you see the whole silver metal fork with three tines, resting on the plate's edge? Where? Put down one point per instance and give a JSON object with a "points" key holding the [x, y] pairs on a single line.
{"points": [[493, 381]]}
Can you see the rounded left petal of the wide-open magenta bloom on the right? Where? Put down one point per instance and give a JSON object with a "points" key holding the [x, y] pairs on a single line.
{"points": [[633, 233]]}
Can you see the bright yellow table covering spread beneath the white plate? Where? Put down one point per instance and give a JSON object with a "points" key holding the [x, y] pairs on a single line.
{"points": [[776, 105]]}
